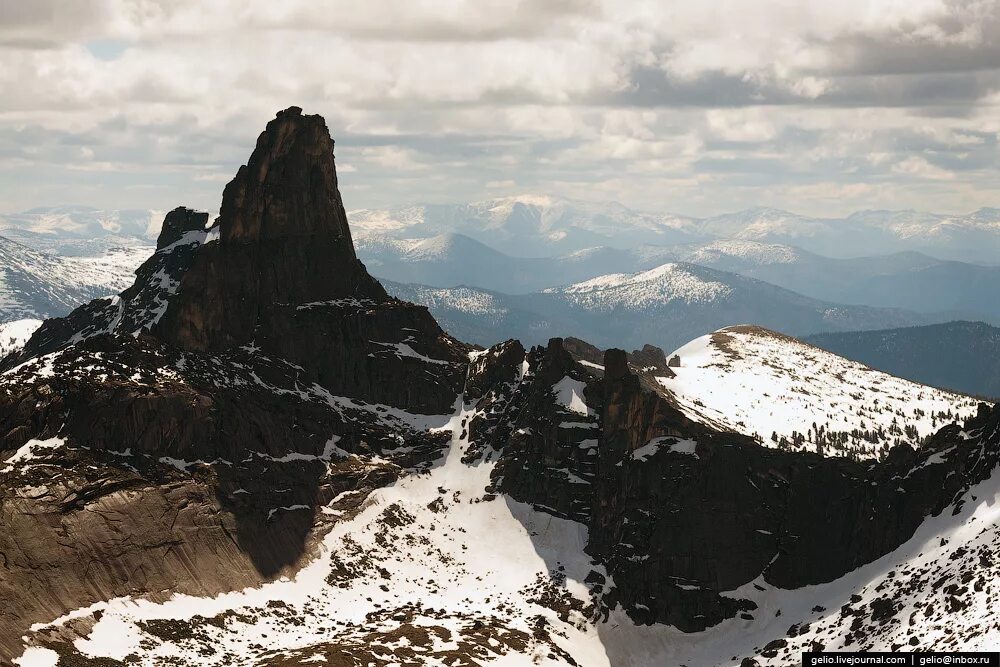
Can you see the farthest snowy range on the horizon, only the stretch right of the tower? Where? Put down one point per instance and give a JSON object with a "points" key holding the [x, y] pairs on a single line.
{"points": [[541, 226]]}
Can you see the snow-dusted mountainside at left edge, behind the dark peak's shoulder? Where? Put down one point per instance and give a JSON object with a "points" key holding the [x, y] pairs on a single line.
{"points": [[36, 284]]}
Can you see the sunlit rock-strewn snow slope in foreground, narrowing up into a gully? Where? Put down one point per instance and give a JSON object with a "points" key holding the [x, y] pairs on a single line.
{"points": [[431, 570]]}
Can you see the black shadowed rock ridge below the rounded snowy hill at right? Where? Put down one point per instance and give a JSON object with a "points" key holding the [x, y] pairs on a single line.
{"points": [[678, 512]]}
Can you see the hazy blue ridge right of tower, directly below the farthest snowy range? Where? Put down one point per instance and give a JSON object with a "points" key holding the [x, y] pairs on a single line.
{"points": [[907, 280]]}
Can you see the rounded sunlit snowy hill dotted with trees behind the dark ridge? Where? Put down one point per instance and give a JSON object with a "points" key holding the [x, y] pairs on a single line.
{"points": [[791, 394]]}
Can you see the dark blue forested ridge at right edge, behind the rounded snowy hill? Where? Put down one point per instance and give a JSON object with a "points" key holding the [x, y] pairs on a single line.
{"points": [[963, 356]]}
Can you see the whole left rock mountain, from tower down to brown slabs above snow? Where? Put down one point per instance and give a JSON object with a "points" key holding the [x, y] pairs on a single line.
{"points": [[181, 435]]}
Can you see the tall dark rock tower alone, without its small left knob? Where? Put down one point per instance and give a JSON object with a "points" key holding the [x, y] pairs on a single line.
{"points": [[283, 239]]}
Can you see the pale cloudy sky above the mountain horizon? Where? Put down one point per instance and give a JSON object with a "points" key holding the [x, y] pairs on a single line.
{"points": [[819, 107]]}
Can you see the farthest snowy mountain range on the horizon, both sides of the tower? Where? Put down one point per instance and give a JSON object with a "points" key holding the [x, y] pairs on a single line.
{"points": [[546, 226]]}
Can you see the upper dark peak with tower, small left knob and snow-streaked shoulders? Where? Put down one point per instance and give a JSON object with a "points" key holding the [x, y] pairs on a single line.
{"points": [[277, 272]]}
